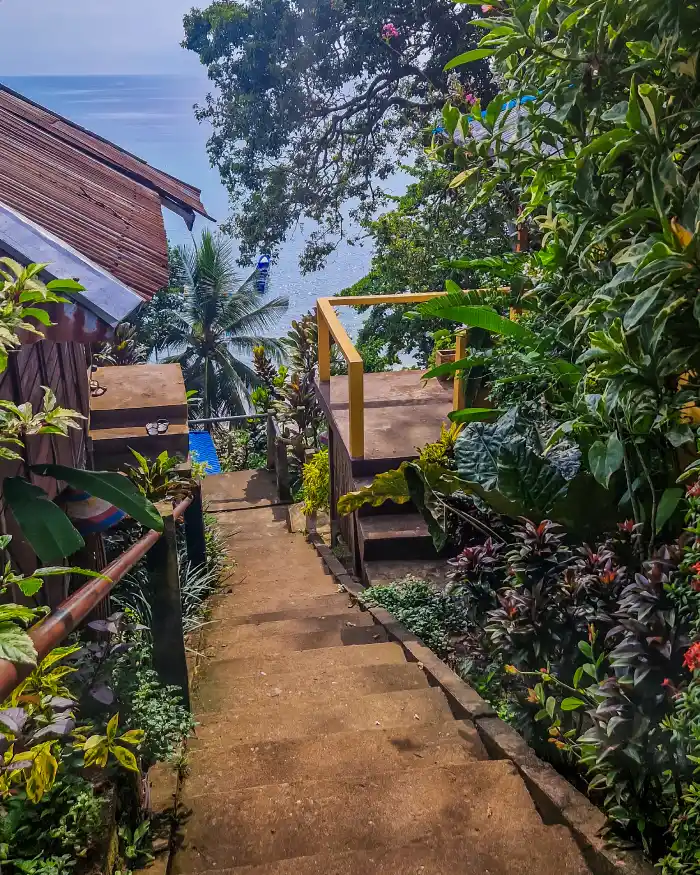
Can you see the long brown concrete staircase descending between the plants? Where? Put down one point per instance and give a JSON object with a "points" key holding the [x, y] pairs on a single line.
{"points": [[321, 751]]}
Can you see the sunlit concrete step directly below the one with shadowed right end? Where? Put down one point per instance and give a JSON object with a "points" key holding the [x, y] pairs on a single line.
{"points": [[310, 660]]}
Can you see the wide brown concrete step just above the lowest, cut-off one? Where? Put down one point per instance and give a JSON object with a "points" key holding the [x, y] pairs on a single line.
{"points": [[485, 804]]}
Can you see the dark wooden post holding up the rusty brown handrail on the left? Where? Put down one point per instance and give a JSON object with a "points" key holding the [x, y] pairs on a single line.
{"points": [[169, 657]]}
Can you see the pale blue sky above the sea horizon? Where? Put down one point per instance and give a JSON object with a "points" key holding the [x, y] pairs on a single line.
{"points": [[84, 37]]}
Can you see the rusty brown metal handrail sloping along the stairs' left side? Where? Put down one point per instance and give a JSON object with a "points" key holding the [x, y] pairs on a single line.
{"points": [[50, 632]]}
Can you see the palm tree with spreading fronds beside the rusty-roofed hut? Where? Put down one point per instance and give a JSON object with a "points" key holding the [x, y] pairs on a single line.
{"points": [[221, 320]]}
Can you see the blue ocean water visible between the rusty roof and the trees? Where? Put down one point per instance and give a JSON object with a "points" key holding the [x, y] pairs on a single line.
{"points": [[153, 117]]}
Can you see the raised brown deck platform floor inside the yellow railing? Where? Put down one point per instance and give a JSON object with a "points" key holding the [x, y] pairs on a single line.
{"points": [[402, 412]]}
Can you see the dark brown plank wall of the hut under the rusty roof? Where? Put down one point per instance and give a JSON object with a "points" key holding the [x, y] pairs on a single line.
{"points": [[64, 368]]}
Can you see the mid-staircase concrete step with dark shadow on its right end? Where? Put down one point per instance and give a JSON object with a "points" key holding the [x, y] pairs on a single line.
{"points": [[277, 645]]}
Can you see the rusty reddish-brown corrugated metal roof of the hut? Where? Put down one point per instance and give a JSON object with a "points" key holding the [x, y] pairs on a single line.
{"points": [[96, 197]]}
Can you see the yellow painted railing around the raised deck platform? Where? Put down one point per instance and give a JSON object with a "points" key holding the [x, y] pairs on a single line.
{"points": [[330, 328]]}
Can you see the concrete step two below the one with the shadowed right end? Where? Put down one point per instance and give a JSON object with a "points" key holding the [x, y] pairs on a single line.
{"points": [[217, 693]]}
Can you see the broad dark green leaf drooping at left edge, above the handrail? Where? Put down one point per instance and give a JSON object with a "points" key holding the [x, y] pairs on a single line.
{"points": [[48, 530]]}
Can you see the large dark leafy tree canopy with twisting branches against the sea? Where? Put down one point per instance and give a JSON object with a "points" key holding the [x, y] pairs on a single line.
{"points": [[317, 100]]}
